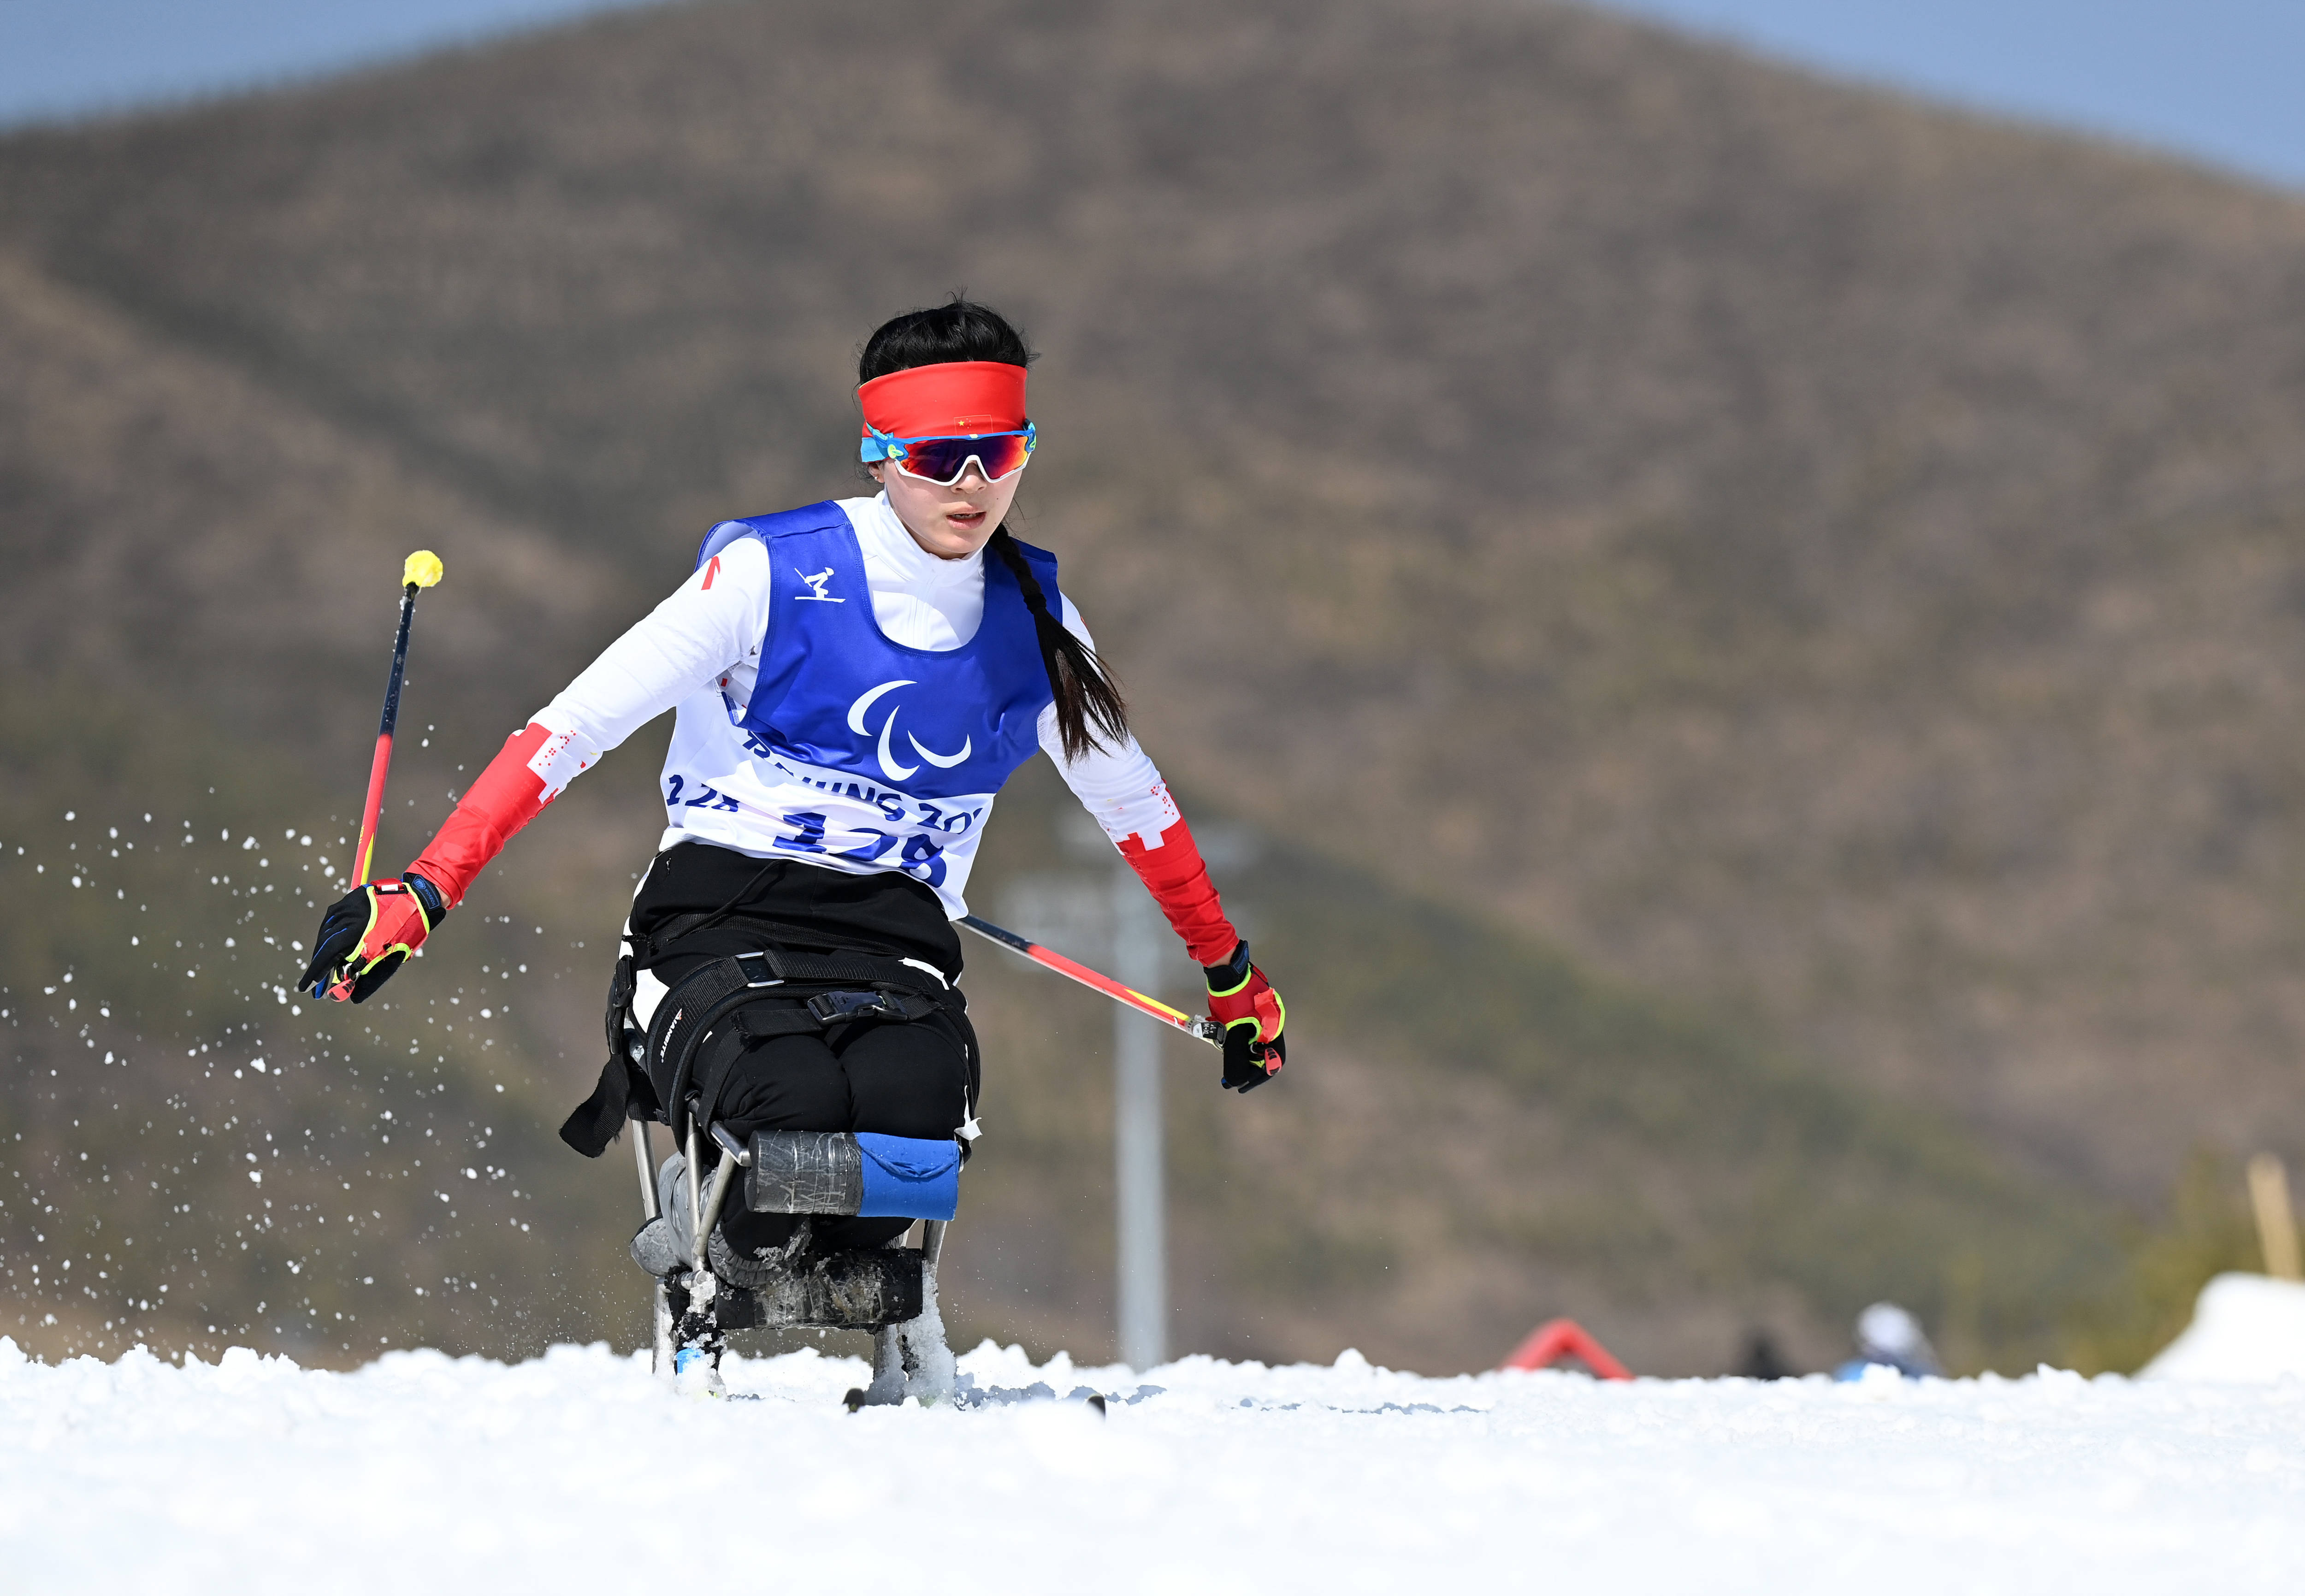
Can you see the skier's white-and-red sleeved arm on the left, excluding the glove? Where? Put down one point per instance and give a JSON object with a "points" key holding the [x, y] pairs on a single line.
{"points": [[716, 622]]}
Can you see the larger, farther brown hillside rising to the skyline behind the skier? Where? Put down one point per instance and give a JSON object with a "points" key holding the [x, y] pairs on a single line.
{"points": [[1781, 541]]}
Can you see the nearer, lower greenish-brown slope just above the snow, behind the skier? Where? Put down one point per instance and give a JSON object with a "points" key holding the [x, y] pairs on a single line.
{"points": [[234, 550]]}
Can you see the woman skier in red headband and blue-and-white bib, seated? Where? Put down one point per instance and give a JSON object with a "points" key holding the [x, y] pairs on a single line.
{"points": [[852, 686]]}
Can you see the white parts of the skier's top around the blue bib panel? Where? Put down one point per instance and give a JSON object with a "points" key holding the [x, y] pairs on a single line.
{"points": [[700, 654]]}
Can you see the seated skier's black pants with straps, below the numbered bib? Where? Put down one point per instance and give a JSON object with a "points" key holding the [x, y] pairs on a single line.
{"points": [[898, 1078]]}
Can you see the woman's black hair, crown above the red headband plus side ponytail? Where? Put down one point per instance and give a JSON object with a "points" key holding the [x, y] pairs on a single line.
{"points": [[1089, 707]]}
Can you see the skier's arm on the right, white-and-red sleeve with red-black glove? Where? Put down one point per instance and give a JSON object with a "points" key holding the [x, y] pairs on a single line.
{"points": [[1131, 799]]}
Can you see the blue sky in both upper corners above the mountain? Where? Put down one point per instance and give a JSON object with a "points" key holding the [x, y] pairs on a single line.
{"points": [[2214, 80]]}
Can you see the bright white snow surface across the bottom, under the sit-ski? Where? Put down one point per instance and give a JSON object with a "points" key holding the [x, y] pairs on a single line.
{"points": [[577, 1473]]}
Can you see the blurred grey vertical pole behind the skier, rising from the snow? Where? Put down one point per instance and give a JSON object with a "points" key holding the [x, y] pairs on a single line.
{"points": [[1140, 1180]]}
